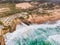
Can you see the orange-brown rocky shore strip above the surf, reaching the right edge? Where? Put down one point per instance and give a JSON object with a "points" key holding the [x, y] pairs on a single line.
{"points": [[42, 19]]}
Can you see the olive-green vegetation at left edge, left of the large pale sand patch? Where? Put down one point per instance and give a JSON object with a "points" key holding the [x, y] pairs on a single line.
{"points": [[12, 10]]}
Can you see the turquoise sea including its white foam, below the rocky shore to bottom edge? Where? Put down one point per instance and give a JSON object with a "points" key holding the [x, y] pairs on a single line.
{"points": [[43, 34]]}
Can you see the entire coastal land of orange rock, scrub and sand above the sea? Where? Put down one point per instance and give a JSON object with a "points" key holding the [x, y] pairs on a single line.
{"points": [[28, 13]]}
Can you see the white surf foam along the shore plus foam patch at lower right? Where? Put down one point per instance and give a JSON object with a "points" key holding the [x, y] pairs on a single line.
{"points": [[25, 29]]}
